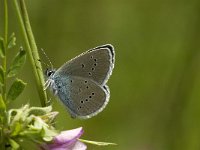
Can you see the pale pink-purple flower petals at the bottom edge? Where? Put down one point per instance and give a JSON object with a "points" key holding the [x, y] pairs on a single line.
{"points": [[66, 140]]}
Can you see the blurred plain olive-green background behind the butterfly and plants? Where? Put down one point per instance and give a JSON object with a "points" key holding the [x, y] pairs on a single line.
{"points": [[155, 86]]}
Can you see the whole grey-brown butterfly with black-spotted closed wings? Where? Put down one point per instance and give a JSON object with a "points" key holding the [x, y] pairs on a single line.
{"points": [[81, 82]]}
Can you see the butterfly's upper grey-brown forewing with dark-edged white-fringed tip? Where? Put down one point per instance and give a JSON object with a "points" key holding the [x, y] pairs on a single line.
{"points": [[95, 64]]}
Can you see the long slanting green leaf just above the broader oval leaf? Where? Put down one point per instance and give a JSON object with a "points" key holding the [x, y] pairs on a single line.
{"points": [[17, 63]]}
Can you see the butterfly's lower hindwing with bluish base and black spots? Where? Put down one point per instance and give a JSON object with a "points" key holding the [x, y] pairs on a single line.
{"points": [[83, 98]]}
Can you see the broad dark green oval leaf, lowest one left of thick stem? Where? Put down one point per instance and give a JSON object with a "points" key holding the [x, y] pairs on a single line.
{"points": [[16, 89]]}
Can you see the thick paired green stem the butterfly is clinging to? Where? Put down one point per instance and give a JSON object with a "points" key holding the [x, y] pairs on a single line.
{"points": [[32, 49]]}
